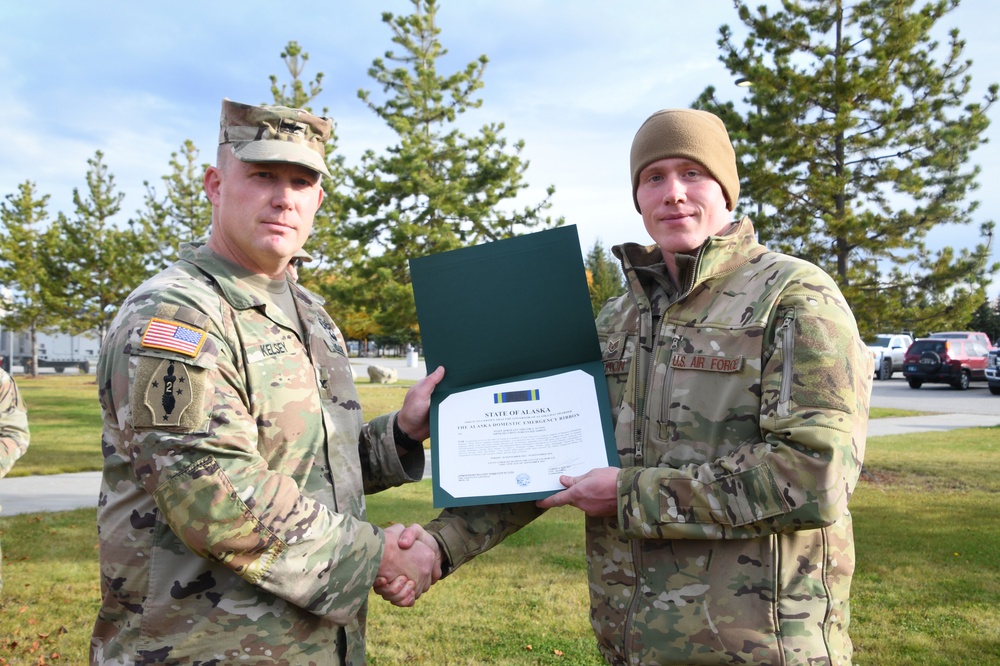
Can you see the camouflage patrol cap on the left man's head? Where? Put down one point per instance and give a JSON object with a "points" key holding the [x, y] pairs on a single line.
{"points": [[275, 134]]}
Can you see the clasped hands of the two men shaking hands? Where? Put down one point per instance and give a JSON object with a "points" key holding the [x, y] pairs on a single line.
{"points": [[411, 563]]}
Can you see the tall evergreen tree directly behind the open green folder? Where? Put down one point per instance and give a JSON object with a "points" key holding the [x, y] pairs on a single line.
{"points": [[438, 188]]}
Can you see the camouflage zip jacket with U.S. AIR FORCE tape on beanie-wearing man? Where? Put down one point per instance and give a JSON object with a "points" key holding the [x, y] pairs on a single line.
{"points": [[740, 419]]}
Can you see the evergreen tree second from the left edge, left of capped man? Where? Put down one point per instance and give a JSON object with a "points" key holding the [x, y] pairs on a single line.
{"points": [[102, 263]]}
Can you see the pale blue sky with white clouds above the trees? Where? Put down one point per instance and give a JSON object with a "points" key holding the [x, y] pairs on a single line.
{"points": [[574, 80]]}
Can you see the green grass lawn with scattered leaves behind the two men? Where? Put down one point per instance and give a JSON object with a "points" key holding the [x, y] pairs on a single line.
{"points": [[926, 589]]}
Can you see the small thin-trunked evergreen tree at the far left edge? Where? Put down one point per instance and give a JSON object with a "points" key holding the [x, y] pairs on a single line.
{"points": [[22, 265]]}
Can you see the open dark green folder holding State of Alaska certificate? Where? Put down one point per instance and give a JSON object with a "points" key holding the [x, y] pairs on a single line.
{"points": [[524, 397]]}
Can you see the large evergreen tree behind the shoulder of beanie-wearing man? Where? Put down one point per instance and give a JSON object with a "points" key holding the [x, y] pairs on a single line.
{"points": [[857, 146]]}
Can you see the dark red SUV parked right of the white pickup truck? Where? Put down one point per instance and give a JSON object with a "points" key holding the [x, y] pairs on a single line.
{"points": [[954, 361]]}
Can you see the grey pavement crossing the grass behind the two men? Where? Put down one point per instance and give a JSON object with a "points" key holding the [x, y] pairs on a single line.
{"points": [[950, 409]]}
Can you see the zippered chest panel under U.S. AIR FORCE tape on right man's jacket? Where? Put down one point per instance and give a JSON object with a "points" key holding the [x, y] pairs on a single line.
{"points": [[708, 381]]}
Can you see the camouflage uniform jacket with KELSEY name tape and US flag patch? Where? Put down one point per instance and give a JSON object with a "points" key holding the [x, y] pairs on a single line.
{"points": [[231, 513]]}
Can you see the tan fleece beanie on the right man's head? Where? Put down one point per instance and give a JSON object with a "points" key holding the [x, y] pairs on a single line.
{"points": [[696, 135]]}
